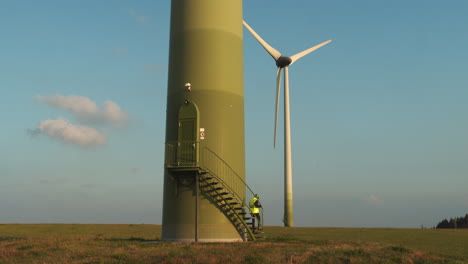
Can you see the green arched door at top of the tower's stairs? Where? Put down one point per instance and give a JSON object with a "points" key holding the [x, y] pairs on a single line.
{"points": [[187, 145]]}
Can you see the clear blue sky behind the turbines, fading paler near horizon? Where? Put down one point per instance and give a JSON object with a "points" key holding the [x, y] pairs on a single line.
{"points": [[379, 116]]}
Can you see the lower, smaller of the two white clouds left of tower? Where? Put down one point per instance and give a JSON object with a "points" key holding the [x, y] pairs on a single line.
{"points": [[60, 129]]}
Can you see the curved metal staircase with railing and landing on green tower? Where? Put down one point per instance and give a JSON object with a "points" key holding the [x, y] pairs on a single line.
{"points": [[217, 182]]}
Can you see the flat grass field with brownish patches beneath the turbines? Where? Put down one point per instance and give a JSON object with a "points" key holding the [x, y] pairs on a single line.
{"points": [[68, 243]]}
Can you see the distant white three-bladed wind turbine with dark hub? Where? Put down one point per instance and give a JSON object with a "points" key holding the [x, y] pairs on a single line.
{"points": [[283, 62]]}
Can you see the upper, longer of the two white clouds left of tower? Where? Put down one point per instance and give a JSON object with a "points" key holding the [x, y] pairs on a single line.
{"points": [[87, 110]]}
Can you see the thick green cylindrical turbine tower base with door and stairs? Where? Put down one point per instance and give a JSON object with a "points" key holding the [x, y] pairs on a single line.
{"points": [[205, 193]]}
